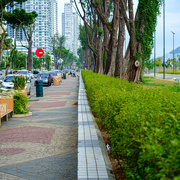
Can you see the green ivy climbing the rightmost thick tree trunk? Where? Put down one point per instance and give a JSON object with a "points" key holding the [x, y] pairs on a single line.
{"points": [[148, 17]]}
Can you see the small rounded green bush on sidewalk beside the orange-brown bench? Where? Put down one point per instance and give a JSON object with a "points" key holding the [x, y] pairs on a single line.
{"points": [[20, 104]]}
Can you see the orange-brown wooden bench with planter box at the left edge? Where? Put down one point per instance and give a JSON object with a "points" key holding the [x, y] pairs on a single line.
{"points": [[6, 106]]}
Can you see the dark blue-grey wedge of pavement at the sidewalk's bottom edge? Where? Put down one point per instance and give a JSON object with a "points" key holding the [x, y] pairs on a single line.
{"points": [[58, 167]]}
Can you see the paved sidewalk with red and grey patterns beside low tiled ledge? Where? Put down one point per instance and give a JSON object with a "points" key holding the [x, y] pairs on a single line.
{"points": [[43, 146]]}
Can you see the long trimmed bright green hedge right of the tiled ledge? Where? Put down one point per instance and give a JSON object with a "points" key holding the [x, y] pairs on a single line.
{"points": [[144, 125]]}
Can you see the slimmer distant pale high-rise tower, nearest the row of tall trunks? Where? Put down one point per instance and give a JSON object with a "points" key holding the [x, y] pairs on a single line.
{"points": [[70, 28]]}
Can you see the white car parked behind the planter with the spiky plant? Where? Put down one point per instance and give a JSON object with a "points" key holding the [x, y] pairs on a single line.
{"points": [[7, 84]]}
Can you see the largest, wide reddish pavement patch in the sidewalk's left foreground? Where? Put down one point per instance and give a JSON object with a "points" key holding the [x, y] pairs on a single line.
{"points": [[27, 134]]}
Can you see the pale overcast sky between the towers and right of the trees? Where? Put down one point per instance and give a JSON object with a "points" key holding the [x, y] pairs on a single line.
{"points": [[172, 19]]}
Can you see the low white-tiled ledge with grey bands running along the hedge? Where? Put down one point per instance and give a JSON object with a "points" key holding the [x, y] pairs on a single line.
{"points": [[93, 159]]}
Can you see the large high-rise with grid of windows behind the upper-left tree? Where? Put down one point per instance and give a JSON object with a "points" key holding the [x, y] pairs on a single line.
{"points": [[46, 22]]}
